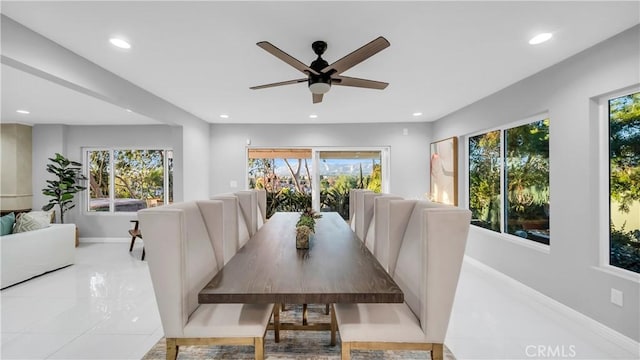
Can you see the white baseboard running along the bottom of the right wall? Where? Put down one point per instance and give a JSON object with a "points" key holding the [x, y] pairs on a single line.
{"points": [[602, 330]]}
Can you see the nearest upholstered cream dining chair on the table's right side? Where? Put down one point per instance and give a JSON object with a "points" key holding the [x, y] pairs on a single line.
{"points": [[428, 242]]}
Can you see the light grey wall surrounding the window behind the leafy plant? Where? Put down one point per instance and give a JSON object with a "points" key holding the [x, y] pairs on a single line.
{"points": [[69, 140]]}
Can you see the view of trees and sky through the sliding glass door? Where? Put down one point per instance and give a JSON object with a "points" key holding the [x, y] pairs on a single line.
{"points": [[287, 176]]}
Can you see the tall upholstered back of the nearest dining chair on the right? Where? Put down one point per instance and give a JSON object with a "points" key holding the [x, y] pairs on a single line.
{"points": [[429, 260]]}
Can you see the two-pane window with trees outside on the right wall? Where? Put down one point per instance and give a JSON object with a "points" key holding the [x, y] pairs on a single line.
{"points": [[509, 180]]}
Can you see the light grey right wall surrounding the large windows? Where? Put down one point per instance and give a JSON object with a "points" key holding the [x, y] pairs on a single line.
{"points": [[569, 273]]}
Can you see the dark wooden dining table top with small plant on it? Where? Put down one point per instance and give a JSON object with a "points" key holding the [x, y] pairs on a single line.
{"points": [[337, 268]]}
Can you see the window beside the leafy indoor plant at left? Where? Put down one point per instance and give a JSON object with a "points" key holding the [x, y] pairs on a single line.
{"points": [[124, 180]]}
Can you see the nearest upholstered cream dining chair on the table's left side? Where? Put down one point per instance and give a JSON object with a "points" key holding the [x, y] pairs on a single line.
{"points": [[181, 258]]}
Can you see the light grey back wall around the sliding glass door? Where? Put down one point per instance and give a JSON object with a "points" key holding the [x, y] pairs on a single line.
{"points": [[408, 163]]}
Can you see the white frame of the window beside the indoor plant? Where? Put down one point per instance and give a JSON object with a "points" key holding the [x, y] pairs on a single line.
{"points": [[86, 196]]}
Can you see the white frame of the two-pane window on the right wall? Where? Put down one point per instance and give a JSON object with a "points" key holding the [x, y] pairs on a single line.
{"points": [[502, 234]]}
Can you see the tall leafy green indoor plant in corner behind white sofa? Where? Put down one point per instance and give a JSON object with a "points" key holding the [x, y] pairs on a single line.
{"points": [[67, 183]]}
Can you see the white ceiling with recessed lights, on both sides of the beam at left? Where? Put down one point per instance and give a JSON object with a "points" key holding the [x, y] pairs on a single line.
{"points": [[201, 56]]}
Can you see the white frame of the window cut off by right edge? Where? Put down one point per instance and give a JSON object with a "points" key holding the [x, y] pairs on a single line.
{"points": [[604, 187]]}
